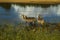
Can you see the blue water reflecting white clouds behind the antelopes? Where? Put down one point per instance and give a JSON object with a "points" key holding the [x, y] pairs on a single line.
{"points": [[50, 14]]}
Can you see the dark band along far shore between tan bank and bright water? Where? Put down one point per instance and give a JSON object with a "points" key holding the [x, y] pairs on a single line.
{"points": [[8, 5]]}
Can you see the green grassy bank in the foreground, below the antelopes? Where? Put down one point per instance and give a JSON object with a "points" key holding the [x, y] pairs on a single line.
{"points": [[11, 32]]}
